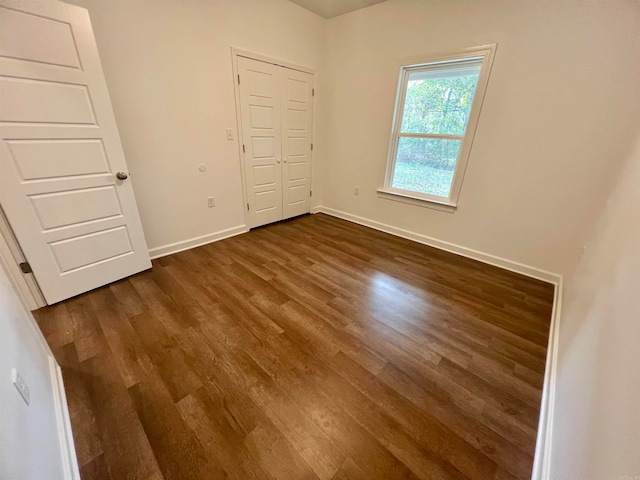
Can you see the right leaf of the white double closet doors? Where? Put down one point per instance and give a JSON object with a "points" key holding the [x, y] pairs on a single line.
{"points": [[297, 116]]}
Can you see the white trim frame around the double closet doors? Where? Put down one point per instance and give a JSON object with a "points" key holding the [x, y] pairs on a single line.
{"points": [[235, 53]]}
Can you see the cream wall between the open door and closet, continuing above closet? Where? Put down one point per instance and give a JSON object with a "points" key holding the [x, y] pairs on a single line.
{"points": [[169, 72]]}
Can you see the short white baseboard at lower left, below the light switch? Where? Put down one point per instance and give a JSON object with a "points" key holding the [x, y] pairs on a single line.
{"points": [[65, 435]]}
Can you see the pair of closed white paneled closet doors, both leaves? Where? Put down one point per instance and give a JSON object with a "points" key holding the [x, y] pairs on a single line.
{"points": [[276, 115]]}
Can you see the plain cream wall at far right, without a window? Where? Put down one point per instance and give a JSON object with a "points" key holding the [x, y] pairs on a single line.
{"points": [[596, 427]]}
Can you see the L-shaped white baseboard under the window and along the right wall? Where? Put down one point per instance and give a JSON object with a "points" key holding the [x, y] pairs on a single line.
{"points": [[542, 457]]}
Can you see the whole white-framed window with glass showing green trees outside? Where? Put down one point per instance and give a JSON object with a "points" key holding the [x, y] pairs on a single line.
{"points": [[437, 108]]}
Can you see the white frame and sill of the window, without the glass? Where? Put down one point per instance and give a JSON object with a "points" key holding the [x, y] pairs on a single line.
{"points": [[486, 53]]}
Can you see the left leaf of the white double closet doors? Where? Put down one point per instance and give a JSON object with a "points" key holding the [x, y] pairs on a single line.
{"points": [[261, 129]]}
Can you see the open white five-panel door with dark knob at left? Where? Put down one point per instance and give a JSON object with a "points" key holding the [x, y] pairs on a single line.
{"points": [[77, 224]]}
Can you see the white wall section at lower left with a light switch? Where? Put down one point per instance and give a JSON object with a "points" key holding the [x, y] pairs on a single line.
{"points": [[30, 447]]}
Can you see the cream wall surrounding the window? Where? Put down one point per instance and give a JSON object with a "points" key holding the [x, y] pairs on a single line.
{"points": [[561, 107]]}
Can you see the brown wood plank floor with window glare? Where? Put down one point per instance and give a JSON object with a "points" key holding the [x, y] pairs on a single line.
{"points": [[314, 348]]}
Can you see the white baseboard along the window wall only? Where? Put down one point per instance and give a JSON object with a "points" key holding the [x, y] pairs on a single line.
{"points": [[487, 258]]}
